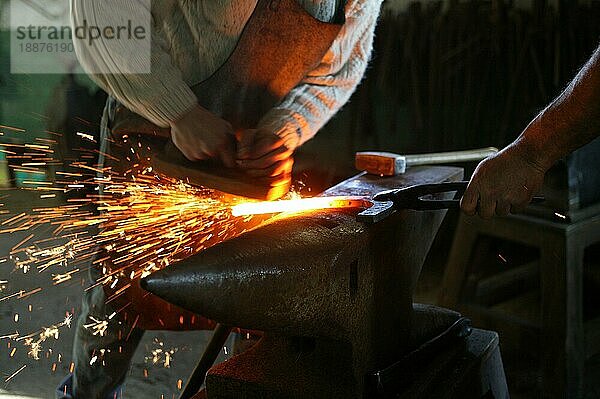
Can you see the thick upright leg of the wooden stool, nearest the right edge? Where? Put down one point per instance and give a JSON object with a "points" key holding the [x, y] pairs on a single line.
{"points": [[562, 340]]}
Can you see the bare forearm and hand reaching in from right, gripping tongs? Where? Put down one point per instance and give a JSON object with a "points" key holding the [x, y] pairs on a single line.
{"points": [[507, 181]]}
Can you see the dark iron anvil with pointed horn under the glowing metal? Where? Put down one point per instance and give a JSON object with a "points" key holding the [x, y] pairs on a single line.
{"points": [[332, 294]]}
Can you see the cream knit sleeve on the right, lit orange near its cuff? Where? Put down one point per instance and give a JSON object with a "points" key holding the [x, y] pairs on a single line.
{"points": [[309, 105]]}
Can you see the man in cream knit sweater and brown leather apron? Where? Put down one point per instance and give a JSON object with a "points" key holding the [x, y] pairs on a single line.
{"points": [[242, 81]]}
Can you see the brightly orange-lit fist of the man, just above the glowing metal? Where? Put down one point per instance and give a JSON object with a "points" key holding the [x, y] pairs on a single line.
{"points": [[263, 154]]}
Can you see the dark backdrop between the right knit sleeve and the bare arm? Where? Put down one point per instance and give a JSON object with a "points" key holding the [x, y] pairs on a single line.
{"points": [[458, 75]]}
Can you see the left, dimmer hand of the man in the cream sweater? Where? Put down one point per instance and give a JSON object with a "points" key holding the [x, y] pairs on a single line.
{"points": [[200, 135]]}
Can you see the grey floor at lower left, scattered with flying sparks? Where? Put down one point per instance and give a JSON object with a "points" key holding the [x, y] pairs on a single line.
{"points": [[38, 378]]}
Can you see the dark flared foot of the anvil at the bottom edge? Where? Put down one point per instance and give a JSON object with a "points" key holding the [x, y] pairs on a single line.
{"points": [[284, 367]]}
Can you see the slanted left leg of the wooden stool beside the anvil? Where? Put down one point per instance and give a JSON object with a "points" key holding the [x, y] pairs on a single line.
{"points": [[458, 263]]}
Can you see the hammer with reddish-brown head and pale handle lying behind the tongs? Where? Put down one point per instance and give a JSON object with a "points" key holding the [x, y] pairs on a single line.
{"points": [[390, 164]]}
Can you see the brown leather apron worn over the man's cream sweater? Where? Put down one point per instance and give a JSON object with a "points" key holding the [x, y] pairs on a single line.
{"points": [[279, 45]]}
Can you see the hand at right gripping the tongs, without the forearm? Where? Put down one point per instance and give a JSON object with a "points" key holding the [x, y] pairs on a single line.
{"points": [[503, 183]]}
